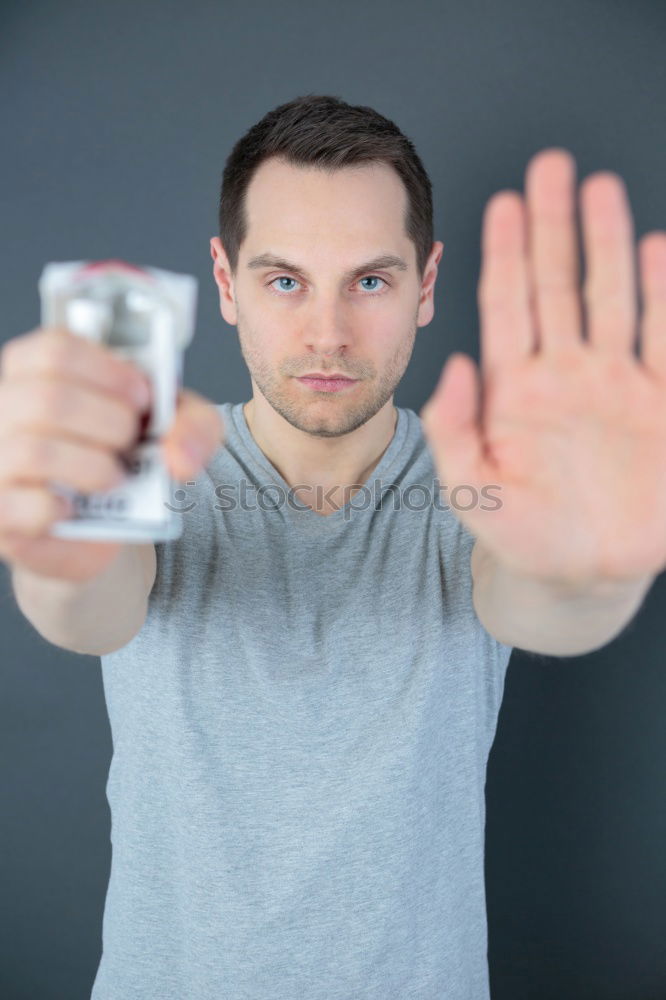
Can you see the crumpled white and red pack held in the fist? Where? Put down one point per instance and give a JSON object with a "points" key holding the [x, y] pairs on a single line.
{"points": [[146, 315]]}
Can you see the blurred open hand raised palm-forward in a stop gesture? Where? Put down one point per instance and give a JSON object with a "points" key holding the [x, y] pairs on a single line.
{"points": [[571, 430]]}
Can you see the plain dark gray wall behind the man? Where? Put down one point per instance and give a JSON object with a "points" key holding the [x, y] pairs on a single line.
{"points": [[117, 119]]}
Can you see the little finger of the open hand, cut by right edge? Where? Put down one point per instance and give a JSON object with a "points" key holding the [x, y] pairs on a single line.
{"points": [[652, 259]]}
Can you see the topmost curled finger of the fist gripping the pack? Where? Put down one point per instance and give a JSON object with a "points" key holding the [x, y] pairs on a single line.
{"points": [[55, 351]]}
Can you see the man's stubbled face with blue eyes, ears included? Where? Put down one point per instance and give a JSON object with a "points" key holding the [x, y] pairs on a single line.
{"points": [[315, 316]]}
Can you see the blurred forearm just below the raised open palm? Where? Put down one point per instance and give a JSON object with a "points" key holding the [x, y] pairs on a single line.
{"points": [[551, 618]]}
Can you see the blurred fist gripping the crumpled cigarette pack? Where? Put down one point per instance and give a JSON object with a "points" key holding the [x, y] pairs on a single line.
{"points": [[69, 408]]}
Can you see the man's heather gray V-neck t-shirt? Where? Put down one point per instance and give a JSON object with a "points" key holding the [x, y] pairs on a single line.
{"points": [[301, 730]]}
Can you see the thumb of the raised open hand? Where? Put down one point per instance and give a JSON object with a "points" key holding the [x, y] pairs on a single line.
{"points": [[451, 423]]}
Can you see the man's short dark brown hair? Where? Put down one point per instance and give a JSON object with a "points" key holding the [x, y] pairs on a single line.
{"points": [[327, 132]]}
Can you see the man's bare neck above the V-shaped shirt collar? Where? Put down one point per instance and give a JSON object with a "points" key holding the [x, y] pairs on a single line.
{"points": [[324, 472]]}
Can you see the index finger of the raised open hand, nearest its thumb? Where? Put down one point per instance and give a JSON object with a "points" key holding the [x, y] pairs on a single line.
{"points": [[507, 332]]}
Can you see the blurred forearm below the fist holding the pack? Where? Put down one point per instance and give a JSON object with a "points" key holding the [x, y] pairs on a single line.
{"points": [[95, 617]]}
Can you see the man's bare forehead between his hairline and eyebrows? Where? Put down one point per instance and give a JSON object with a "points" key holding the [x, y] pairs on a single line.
{"points": [[361, 205]]}
